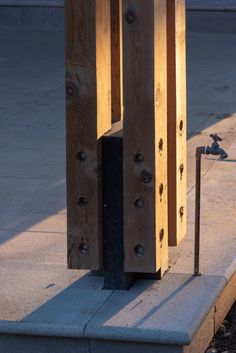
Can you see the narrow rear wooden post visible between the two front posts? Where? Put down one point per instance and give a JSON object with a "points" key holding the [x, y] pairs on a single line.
{"points": [[116, 60]]}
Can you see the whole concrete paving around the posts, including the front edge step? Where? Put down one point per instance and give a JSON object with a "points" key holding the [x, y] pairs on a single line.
{"points": [[40, 297]]}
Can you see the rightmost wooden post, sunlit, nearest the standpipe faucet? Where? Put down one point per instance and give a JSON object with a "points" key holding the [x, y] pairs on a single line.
{"points": [[176, 49]]}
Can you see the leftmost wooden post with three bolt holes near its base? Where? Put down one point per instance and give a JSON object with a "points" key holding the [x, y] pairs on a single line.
{"points": [[88, 88]]}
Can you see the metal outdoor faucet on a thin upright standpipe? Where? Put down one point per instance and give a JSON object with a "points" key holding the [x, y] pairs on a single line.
{"points": [[215, 150]]}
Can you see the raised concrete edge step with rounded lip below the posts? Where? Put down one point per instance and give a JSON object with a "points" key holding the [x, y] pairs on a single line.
{"points": [[179, 314]]}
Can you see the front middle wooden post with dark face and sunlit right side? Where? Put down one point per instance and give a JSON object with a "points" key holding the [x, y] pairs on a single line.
{"points": [[145, 136]]}
